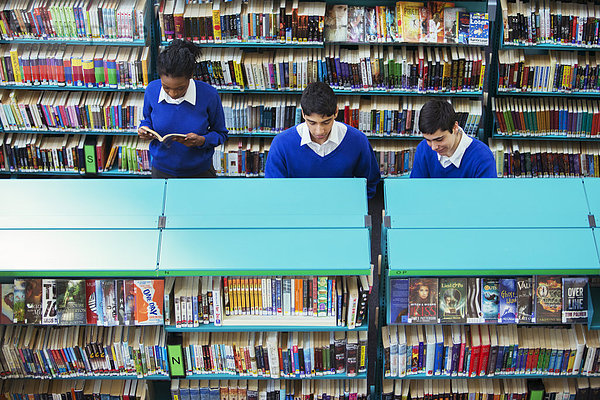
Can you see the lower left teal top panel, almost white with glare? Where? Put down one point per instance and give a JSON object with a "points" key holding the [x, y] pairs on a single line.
{"points": [[78, 252]]}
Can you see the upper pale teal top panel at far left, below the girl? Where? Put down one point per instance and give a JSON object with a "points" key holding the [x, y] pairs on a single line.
{"points": [[81, 203]]}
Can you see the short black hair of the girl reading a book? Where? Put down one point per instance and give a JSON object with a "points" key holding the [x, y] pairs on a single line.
{"points": [[178, 59]]}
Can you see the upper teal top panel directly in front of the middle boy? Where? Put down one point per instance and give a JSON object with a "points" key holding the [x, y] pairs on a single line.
{"points": [[266, 203]]}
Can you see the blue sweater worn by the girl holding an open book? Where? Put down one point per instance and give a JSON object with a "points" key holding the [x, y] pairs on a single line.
{"points": [[206, 118]]}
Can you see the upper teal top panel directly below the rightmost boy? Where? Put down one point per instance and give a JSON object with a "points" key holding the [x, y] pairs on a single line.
{"points": [[486, 203]]}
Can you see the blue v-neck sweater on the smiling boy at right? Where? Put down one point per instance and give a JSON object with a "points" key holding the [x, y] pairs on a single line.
{"points": [[477, 162]]}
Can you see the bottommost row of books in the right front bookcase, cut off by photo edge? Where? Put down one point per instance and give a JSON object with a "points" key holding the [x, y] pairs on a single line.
{"points": [[491, 389]]}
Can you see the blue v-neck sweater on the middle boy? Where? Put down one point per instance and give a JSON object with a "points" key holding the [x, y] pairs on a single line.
{"points": [[353, 157]]}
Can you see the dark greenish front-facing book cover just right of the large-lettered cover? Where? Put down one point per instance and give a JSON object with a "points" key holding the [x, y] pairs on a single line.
{"points": [[71, 301]]}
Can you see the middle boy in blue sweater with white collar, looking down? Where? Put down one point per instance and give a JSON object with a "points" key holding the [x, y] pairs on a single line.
{"points": [[322, 147]]}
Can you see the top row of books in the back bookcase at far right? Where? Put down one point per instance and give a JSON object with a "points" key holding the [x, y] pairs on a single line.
{"points": [[540, 21]]}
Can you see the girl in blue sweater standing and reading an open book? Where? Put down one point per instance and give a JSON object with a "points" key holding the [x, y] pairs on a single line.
{"points": [[178, 104]]}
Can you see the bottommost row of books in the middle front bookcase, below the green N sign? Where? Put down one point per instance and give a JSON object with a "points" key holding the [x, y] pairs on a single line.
{"points": [[242, 389]]}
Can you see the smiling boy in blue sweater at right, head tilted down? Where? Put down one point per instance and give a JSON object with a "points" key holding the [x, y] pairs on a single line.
{"points": [[447, 152]]}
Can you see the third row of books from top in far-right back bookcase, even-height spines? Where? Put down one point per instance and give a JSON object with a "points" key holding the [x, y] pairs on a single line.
{"points": [[547, 116]]}
